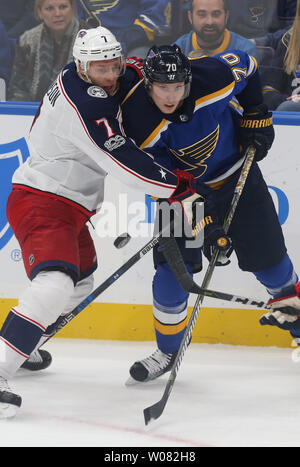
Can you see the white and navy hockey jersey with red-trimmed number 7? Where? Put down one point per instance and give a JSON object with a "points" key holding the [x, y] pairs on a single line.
{"points": [[77, 138]]}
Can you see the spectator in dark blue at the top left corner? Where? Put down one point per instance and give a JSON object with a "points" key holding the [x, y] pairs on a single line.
{"points": [[17, 16]]}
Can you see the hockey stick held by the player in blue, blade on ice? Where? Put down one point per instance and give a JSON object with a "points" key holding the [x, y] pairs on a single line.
{"points": [[154, 411]]}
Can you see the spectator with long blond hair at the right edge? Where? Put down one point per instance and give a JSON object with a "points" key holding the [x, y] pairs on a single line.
{"points": [[282, 81]]}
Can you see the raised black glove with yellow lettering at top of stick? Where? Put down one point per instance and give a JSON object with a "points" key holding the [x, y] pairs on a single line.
{"points": [[256, 128]]}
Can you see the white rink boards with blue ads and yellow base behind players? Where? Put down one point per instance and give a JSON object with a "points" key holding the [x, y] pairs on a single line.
{"points": [[123, 311]]}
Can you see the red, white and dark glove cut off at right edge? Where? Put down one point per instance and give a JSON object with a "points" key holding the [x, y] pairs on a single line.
{"points": [[286, 306]]}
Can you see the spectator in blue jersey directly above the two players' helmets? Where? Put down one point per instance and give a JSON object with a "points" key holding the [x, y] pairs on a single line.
{"points": [[135, 23]]}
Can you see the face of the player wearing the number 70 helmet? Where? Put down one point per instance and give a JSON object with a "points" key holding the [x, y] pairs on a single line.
{"points": [[167, 97]]}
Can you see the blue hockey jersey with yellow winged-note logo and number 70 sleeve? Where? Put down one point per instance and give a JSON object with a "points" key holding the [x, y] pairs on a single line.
{"points": [[201, 137]]}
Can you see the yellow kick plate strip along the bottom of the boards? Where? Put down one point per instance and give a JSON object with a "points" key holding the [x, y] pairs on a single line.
{"points": [[114, 321]]}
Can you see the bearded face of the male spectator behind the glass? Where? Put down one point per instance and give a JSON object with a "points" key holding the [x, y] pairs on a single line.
{"points": [[209, 20]]}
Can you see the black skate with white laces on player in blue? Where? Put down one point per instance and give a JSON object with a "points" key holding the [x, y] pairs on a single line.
{"points": [[152, 367]]}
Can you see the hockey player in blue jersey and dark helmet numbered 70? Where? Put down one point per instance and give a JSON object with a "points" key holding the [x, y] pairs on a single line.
{"points": [[181, 112]]}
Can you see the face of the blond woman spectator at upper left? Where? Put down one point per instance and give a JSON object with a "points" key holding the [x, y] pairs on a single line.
{"points": [[56, 14]]}
